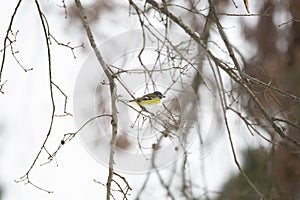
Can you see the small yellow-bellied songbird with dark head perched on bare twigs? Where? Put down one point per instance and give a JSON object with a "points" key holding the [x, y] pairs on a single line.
{"points": [[149, 99]]}
